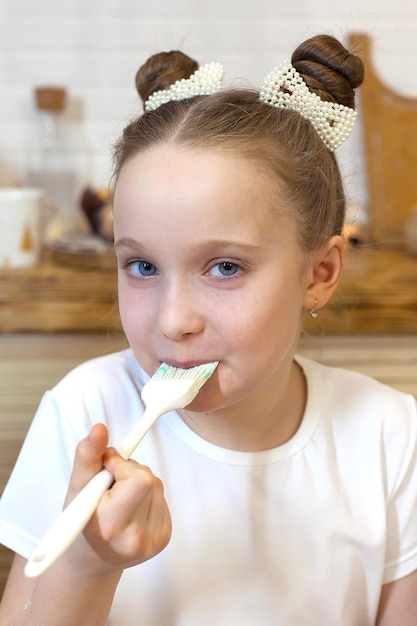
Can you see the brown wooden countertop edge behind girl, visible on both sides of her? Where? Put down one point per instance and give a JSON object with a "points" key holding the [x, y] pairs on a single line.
{"points": [[377, 294]]}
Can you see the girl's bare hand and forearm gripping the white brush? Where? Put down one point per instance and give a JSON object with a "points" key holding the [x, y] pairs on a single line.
{"points": [[131, 524]]}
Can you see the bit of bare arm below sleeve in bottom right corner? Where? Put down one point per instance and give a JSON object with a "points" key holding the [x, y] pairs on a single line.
{"points": [[398, 603]]}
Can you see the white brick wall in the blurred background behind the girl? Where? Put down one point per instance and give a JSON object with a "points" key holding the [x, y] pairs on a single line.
{"points": [[94, 47]]}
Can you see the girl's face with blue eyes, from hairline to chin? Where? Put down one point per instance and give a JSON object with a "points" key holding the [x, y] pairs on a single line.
{"points": [[209, 270]]}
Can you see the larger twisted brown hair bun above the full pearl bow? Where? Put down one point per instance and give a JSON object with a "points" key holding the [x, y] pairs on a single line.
{"points": [[329, 69]]}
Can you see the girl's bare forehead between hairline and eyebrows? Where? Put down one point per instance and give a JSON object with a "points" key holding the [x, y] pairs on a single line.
{"points": [[181, 194]]}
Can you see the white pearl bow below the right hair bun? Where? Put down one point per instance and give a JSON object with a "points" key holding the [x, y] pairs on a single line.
{"points": [[284, 88]]}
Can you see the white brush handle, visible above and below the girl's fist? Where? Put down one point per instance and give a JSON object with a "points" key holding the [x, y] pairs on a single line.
{"points": [[77, 514]]}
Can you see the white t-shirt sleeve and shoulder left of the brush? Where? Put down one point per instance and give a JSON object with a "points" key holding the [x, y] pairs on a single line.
{"points": [[106, 390]]}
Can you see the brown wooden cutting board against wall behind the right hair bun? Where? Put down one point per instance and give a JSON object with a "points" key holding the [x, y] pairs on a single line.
{"points": [[390, 139]]}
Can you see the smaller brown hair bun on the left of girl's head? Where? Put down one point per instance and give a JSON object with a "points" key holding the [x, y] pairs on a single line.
{"points": [[162, 70]]}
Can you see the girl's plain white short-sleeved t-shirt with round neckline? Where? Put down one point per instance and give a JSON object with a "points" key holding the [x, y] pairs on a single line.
{"points": [[302, 534]]}
